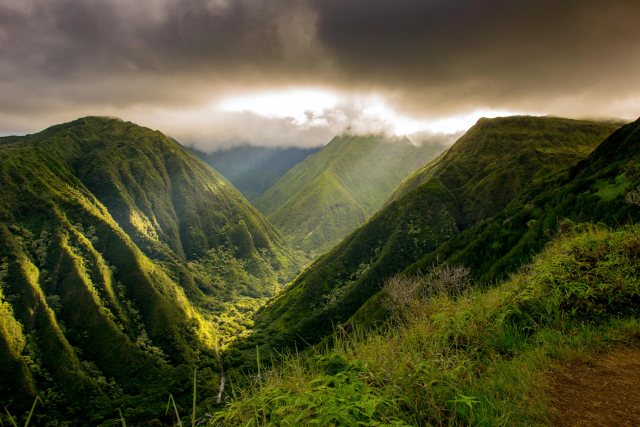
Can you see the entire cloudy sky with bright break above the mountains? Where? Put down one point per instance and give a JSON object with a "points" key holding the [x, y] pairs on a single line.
{"points": [[217, 73]]}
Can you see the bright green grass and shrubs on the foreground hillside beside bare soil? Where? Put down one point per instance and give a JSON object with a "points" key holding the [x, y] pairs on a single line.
{"points": [[468, 357]]}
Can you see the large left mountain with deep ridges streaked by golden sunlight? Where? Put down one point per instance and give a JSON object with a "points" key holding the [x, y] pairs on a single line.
{"points": [[119, 252]]}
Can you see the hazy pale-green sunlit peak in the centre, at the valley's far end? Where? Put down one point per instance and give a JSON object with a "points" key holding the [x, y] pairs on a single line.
{"points": [[331, 193]]}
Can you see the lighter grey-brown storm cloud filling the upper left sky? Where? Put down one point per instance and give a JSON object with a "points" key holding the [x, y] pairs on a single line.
{"points": [[148, 51]]}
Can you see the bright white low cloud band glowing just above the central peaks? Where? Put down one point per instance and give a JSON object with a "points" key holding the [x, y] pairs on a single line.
{"points": [[309, 129]]}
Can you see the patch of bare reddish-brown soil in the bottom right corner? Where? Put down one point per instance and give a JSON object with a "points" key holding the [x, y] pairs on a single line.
{"points": [[604, 392]]}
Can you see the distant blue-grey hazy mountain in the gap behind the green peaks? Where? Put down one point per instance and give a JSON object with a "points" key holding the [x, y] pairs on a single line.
{"points": [[253, 170]]}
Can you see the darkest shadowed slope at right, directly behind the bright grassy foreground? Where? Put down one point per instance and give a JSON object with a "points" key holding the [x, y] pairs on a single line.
{"points": [[594, 190]]}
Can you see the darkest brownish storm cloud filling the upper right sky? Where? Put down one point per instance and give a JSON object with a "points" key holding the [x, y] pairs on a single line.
{"points": [[454, 52]]}
